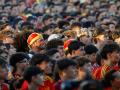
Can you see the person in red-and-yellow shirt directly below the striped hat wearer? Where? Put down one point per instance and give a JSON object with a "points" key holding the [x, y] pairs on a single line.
{"points": [[42, 61]]}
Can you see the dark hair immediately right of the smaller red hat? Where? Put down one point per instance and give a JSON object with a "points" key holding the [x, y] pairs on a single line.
{"points": [[74, 45]]}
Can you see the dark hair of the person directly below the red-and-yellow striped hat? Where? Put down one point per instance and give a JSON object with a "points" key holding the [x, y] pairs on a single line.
{"points": [[39, 58]]}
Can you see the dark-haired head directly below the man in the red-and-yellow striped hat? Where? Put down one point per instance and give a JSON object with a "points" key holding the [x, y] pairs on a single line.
{"points": [[40, 60]]}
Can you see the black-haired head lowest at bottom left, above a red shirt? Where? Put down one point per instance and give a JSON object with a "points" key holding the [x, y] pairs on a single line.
{"points": [[34, 75]]}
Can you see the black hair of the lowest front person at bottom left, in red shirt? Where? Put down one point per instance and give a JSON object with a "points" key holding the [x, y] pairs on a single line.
{"points": [[30, 72]]}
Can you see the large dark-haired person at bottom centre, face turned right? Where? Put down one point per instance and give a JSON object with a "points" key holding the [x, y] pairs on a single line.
{"points": [[65, 70]]}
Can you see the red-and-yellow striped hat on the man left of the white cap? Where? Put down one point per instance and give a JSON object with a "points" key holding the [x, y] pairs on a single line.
{"points": [[33, 37]]}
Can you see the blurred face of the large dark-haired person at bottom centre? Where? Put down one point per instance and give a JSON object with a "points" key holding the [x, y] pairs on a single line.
{"points": [[71, 72]]}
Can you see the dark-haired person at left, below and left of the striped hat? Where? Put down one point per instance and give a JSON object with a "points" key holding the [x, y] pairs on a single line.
{"points": [[19, 61]]}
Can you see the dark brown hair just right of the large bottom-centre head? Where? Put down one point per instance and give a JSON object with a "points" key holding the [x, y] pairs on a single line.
{"points": [[81, 61]]}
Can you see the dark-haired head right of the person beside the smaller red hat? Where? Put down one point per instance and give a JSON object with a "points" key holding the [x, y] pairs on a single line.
{"points": [[91, 52]]}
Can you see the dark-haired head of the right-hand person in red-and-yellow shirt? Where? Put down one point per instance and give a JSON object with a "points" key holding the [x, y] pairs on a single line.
{"points": [[110, 52]]}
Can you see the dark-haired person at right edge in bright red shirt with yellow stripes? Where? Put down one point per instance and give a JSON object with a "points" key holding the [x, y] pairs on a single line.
{"points": [[110, 55]]}
